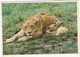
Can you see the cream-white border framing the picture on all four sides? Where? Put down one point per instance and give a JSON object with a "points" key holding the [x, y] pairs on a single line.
{"points": [[40, 55]]}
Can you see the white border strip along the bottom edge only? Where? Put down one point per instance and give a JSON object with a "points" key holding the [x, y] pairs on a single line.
{"points": [[58, 55]]}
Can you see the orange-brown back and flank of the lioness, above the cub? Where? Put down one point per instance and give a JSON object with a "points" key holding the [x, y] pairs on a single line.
{"points": [[48, 19]]}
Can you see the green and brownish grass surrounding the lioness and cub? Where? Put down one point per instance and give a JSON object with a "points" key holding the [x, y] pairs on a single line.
{"points": [[15, 13]]}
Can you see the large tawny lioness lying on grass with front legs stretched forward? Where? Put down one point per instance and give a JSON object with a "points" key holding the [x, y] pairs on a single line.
{"points": [[35, 26]]}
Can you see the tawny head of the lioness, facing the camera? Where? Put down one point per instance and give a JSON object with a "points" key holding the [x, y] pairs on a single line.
{"points": [[31, 26]]}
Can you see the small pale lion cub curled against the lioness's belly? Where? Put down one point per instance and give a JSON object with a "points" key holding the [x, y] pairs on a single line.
{"points": [[56, 32]]}
